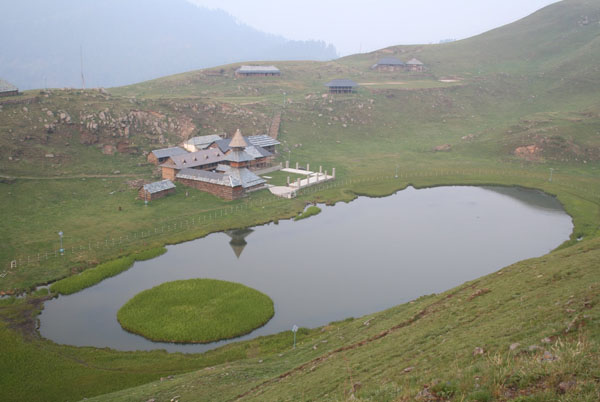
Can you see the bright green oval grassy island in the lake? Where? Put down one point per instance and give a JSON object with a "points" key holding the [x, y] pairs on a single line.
{"points": [[196, 311]]}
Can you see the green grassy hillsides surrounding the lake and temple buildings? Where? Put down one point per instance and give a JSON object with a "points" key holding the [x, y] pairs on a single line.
{"points": [[523, 100]]}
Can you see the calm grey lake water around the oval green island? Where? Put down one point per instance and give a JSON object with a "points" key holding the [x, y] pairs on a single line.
{"points": [[352, 259]]}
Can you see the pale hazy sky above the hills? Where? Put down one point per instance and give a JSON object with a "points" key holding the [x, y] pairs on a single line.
{"points": [[355, 25]]}
